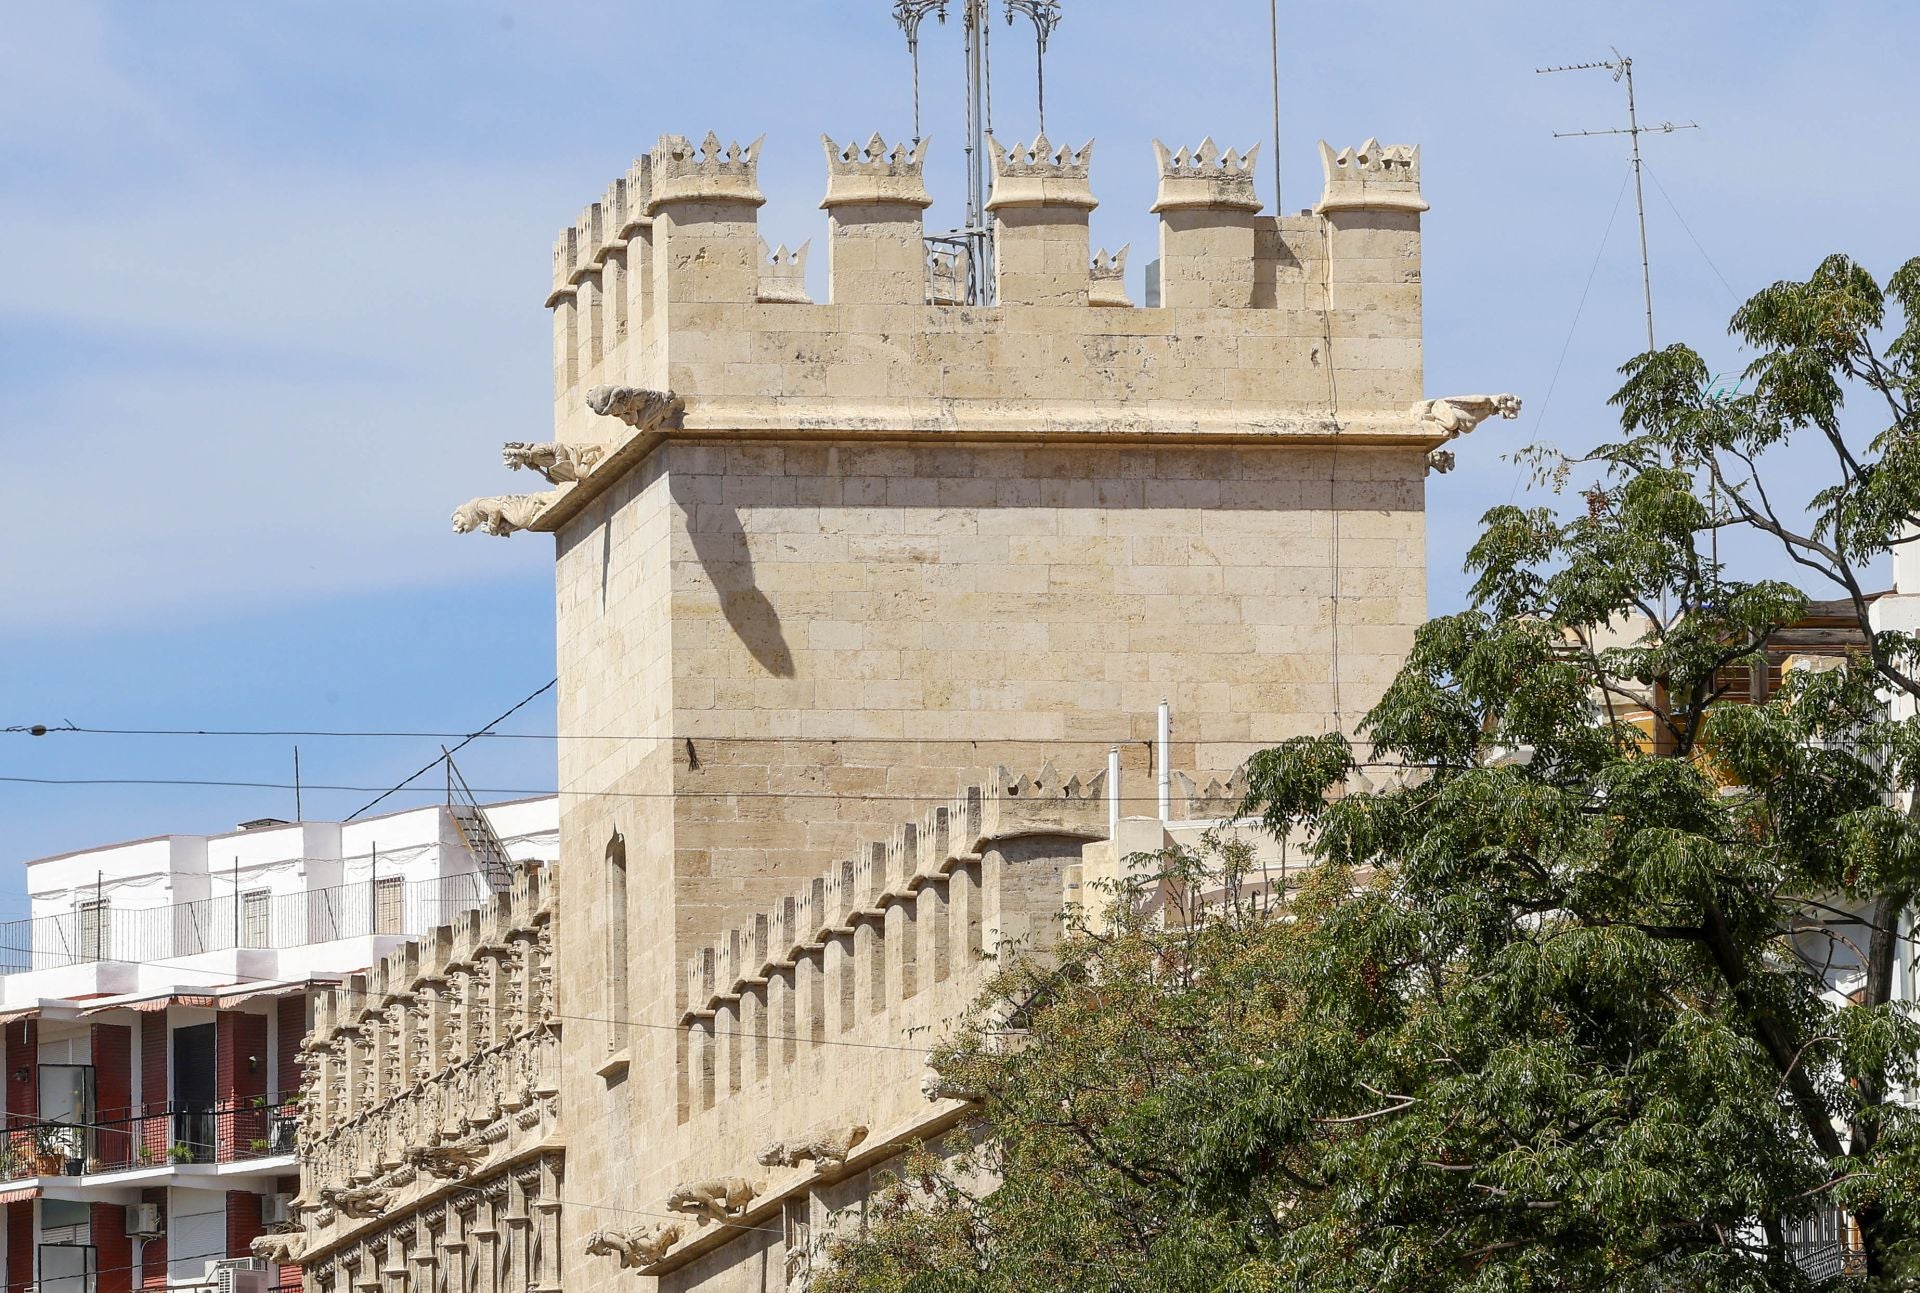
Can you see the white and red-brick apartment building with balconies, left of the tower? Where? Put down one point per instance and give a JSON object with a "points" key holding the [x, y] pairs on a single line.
{"points": [[155, 1012]]}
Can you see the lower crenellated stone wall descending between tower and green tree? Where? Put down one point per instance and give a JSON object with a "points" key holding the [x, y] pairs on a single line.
{"points": [[800, 1027]]}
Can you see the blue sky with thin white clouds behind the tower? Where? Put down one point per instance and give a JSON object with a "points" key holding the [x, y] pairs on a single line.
{"points": [[272, 280]]}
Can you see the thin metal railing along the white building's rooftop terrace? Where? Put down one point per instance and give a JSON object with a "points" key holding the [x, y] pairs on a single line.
{"points": [[247, 919]]}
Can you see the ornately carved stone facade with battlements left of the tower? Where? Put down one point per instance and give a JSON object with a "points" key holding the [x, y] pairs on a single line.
{"points": [[429, 1146]]}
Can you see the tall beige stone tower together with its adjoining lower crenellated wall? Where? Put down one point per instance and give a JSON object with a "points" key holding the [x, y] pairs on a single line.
{"points": [[823, 566]]}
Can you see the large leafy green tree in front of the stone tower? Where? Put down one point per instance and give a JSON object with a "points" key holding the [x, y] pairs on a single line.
{"points": [[1596, 992]]}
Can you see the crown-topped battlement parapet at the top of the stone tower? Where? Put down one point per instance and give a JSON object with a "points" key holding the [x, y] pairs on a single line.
{"points": [[667, 283]]}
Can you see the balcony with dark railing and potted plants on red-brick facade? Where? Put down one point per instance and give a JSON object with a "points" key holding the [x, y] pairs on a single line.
{"points": [[162, 1140]]}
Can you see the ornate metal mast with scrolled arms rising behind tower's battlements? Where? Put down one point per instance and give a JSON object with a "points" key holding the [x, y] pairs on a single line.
{"points": [[974, 239]]}
